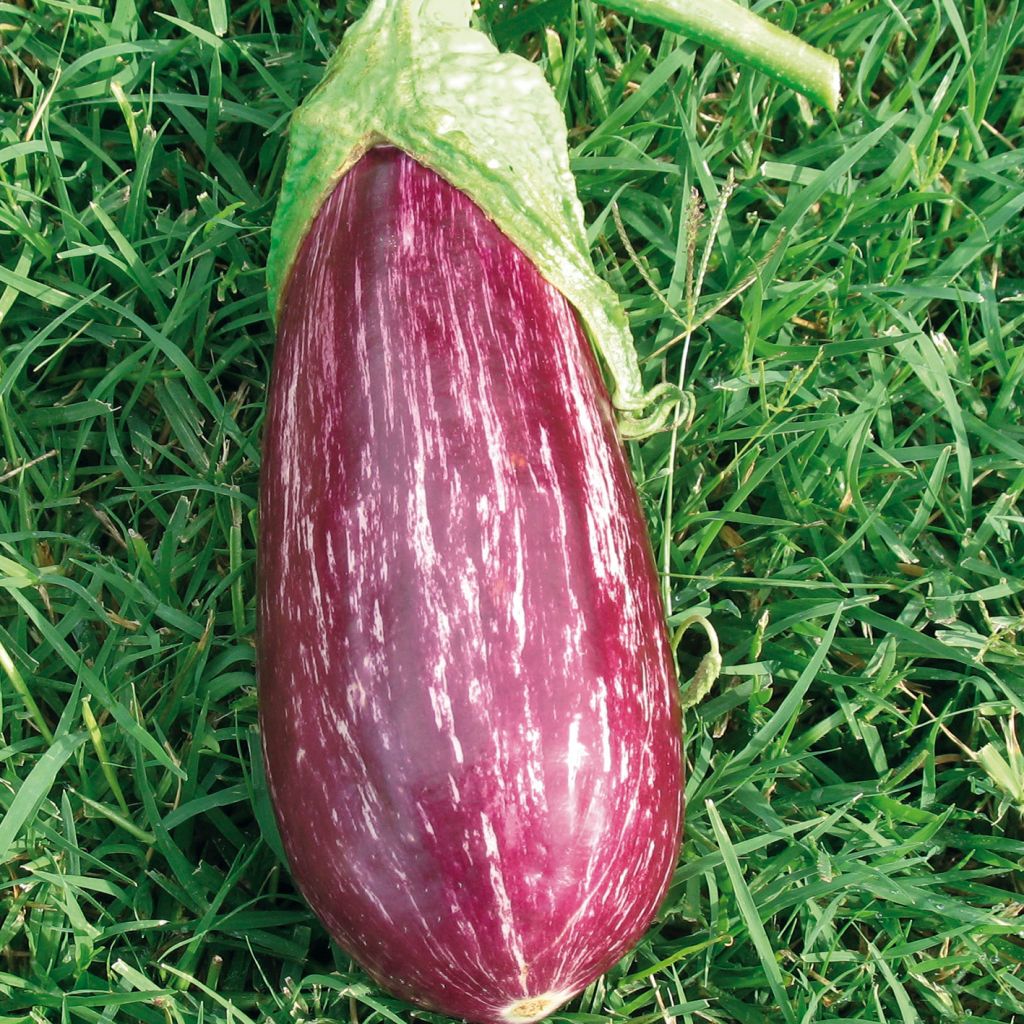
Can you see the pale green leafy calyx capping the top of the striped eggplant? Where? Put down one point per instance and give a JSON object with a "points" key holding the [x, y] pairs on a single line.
{"points": [[413, 74]]}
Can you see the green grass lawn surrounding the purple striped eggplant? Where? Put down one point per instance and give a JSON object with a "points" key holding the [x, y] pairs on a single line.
{"points": [[845, 502]]}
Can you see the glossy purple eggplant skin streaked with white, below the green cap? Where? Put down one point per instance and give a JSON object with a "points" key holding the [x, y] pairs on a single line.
{"points": [[470, 712]]}
